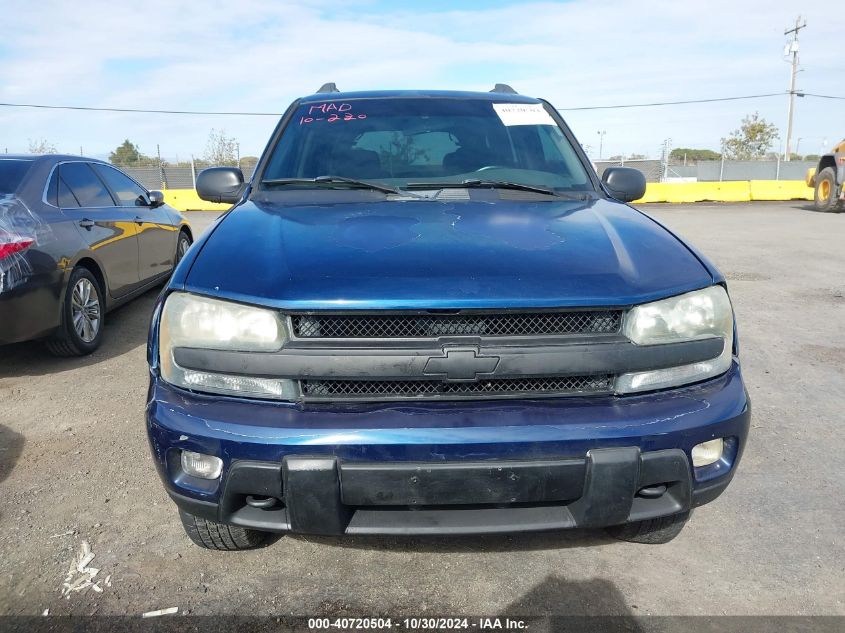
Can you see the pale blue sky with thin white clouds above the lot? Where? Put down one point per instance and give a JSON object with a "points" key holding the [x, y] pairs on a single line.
{"points": [[259, 55]]}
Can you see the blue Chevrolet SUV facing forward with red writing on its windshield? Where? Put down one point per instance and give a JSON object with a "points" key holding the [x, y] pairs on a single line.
{"points": [[426, 314]]}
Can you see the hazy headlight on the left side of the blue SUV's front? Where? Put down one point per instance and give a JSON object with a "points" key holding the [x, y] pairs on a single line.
{"points": [[189, 320]]}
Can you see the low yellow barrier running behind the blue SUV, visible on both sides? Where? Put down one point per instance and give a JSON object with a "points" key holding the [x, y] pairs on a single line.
{"points": [[729, 191]]}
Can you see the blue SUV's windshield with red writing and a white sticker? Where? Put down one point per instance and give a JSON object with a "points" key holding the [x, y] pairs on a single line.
{"points": [[401, 142]]}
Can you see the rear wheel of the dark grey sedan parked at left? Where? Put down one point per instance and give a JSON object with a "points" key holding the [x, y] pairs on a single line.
{"points": [[83, 312]]}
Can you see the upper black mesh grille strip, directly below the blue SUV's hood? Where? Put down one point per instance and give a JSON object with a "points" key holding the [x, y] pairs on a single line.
{"points": [[434, 325]]}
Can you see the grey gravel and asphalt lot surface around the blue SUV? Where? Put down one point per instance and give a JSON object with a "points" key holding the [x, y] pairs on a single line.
{"points": [[75, 466]]}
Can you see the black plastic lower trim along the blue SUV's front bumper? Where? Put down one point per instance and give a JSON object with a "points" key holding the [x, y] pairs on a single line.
{"points": [[322, 495]]}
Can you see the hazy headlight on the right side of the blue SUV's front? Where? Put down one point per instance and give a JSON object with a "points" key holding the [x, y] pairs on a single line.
{"points": [[695, 315]]}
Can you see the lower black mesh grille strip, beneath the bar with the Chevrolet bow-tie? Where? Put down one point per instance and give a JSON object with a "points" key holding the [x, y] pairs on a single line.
{"points": [[387, 389]]}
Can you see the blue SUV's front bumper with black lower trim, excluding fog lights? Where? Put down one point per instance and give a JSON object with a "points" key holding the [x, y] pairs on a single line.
{"points": [[448, 468]]}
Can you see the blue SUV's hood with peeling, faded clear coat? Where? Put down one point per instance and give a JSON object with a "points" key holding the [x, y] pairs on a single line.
{"points": [[440, 255]]}
